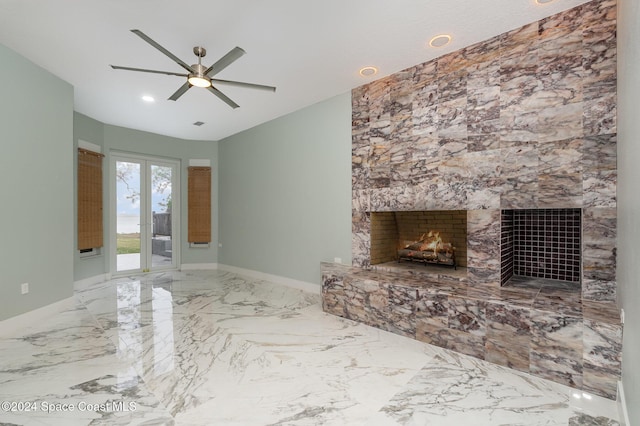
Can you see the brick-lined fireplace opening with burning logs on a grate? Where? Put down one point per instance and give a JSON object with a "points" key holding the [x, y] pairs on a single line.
{"points": [[421, 237]]}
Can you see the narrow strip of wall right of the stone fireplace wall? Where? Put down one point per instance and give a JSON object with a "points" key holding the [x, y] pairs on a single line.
{"points": [[629, 198]]}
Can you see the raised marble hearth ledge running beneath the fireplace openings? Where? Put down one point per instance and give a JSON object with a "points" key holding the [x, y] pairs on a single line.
{"points": [[547, 332]]}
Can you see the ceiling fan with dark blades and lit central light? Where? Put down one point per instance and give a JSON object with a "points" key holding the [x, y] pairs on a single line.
{"points": [[198, 75]]}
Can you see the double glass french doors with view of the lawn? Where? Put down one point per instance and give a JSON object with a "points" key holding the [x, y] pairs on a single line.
{"points": [[145, 202]]}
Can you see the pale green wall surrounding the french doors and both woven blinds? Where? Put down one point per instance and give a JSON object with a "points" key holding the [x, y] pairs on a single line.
{"points": [[120, 139]]}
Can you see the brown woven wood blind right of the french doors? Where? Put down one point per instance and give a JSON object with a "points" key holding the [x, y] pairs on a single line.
{"points": [[199, 205]]}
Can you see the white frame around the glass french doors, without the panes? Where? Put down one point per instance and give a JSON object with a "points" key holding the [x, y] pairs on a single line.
{"points": [[146, 224]]}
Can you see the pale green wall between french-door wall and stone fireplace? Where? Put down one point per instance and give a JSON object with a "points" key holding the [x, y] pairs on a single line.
{"points": [[285, 193]]}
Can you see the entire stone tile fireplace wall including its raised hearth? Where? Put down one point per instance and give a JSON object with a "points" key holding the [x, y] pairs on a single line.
{"points": [[525, 120]]}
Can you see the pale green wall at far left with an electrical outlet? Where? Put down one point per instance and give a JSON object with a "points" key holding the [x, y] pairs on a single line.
{"points": [[36, 170]]}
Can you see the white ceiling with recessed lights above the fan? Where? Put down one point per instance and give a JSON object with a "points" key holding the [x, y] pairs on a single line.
{"points": [[310, 50]]}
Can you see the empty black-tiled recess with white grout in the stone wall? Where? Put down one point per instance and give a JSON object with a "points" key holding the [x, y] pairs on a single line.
{"points": [[541, 244]]}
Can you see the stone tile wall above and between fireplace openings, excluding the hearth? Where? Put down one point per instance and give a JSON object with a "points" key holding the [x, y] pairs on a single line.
{"points": [[524, 120]]}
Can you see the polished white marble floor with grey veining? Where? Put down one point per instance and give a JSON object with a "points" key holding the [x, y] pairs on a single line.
{"points": [[216, 348]]}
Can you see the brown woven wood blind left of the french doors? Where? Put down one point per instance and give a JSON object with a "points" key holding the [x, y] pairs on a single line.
{"points": [[89, 199]]}
